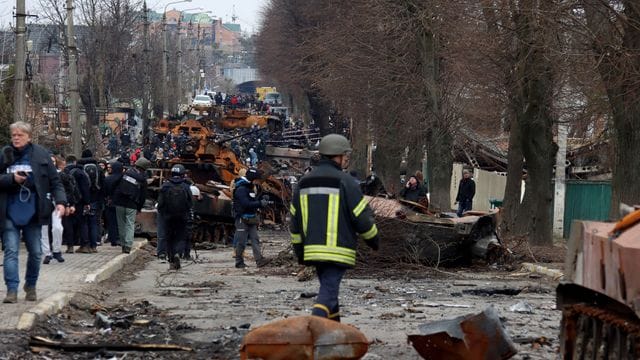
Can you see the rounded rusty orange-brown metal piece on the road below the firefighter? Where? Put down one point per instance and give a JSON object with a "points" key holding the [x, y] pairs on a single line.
{"points": [[304, 337]]}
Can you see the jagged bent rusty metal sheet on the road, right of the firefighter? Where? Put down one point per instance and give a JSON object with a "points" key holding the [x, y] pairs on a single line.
{"points": [[479, 336]]}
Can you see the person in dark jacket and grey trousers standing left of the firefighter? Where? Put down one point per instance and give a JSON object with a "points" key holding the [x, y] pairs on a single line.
{"points": [[245, 206]]}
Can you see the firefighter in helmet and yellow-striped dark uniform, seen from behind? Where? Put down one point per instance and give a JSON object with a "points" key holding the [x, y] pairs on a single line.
{"points": [[328, 213]]}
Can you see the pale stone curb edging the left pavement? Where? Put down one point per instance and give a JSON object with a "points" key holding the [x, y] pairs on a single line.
{"points": [[59, 300]]}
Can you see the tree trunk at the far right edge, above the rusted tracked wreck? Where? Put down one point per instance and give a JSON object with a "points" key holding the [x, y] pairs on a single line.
{"points": [[615, 48]]}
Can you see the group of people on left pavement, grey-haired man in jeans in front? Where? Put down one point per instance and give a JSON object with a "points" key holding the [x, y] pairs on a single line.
{"points": [[50, 201]]}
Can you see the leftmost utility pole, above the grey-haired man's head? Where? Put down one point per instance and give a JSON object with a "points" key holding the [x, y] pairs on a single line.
{"points": [[20, 101]]}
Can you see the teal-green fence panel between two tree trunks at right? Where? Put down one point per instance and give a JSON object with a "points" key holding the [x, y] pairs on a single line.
{"points": [[586, 200]]}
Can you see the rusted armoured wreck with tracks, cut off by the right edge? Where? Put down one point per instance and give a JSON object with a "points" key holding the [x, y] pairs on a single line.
{"points": [[600, 295]]}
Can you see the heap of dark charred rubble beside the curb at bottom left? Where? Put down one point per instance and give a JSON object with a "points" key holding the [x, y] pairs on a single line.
{"points": [[137, 330]]}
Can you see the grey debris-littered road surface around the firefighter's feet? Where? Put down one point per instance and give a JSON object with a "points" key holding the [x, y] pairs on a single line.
{"points": [[208, 305]]}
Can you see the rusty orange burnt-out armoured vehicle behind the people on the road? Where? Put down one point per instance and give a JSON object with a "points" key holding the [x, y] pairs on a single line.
{"points": [[212, 166]]}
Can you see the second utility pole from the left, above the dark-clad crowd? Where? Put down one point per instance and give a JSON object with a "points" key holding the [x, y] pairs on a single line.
{"points": [[74, 92]]}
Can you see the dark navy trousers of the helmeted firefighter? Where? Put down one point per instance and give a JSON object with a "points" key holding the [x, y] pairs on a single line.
{"points": [[327, 305]]}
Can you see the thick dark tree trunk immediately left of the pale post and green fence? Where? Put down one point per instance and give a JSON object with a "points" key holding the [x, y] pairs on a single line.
{"points": [[534, 90]]}
